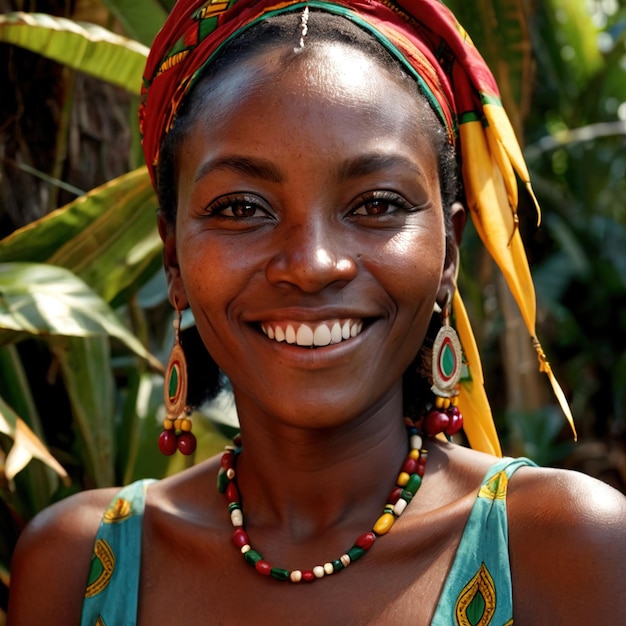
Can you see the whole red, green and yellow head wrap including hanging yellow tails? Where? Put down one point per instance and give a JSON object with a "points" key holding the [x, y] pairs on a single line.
{"points": [[433, 47]]}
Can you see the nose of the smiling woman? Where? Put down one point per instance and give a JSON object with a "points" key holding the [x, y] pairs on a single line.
{"points": [[312, 256]]}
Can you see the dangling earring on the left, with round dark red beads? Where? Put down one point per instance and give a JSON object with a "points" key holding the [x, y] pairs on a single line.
{"points": [[177, 423]]}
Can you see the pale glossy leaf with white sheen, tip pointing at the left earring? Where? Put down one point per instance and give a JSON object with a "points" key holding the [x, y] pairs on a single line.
{"points": [[44, 300]]}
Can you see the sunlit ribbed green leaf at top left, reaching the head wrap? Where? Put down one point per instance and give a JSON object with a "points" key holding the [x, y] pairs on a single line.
{"points": [[79, 45]]}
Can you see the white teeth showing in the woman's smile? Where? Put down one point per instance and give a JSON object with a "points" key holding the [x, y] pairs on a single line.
{"points": [[315, 335]]}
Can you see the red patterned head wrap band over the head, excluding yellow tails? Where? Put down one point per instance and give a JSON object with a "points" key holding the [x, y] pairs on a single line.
{"points": [[422, 34]]}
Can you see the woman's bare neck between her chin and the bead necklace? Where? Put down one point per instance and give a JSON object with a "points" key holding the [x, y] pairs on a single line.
{"points": [[305, 481]]}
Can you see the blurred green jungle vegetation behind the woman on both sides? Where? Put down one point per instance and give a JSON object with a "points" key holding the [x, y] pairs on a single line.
{"points": [[84, 322]]}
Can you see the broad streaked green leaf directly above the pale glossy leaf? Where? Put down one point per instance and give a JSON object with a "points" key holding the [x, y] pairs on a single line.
{"points": [[108, 237]]}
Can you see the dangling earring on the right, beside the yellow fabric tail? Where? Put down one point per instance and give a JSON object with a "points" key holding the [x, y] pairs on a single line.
{"points": [[447, 362]]}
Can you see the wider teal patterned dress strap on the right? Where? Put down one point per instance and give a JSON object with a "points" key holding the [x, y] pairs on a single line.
{"points": [[478, 590]]}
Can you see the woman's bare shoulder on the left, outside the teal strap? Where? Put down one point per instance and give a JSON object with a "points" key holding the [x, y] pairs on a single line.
{"points": [[52, 558]]}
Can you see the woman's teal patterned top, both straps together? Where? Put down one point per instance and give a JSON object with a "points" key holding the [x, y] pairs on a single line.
{"points": [[477, 591]]}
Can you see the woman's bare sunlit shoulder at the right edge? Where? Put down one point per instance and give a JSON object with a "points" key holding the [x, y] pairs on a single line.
{"points": [[568, 544]]}
